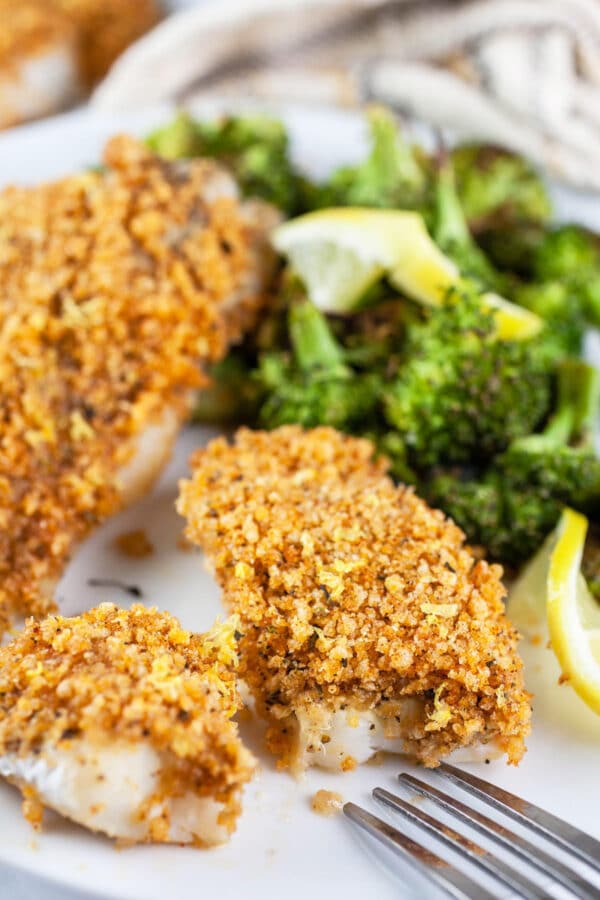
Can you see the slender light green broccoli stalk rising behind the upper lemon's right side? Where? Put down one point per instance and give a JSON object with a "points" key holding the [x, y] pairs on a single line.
{"points": [[452, 235]]}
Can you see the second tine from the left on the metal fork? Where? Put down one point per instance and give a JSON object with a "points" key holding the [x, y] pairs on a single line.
{"points": [[471, 851]]}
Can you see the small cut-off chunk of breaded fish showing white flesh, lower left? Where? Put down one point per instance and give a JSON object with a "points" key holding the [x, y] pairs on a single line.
{"points": [[121, 721]]}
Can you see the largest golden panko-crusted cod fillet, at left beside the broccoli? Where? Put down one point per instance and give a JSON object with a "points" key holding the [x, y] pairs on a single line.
{"points": [[116, 287]]}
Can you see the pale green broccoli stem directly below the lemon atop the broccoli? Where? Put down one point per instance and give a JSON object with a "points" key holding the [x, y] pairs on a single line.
{"points": [[313, 343]]}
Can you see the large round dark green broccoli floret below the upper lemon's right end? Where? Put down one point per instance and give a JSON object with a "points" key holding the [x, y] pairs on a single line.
{"points": [[461, 394]]}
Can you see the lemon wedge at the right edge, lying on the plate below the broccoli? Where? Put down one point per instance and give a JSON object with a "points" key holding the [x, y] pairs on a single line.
{"points": [[553, 591]]}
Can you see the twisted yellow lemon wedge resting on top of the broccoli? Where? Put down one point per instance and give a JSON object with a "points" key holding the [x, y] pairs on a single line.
{"points": [[340, 253]]}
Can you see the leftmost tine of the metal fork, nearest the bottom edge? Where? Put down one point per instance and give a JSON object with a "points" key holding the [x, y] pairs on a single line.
{"points": [[439, 872]]}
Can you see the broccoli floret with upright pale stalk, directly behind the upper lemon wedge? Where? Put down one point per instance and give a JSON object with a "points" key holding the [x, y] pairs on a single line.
{"points": [[393, 176]]}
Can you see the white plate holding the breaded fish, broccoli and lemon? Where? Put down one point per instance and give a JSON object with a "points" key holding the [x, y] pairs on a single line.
{"points": [[281, 848]]}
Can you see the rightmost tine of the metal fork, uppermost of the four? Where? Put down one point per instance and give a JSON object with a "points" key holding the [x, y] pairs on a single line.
{"points": [[556, 830]]}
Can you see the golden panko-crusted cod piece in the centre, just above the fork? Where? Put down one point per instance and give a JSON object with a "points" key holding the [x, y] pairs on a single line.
{"points": [[367, 624]]}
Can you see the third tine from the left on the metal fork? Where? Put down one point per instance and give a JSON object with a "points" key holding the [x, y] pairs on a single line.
{"points": [[506, 838]]}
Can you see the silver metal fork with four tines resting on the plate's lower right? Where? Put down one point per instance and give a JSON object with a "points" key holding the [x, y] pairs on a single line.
{"points": [[577, 846]]}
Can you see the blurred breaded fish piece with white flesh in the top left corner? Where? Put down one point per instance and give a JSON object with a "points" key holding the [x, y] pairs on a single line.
{"points": [[39, 68]]}
